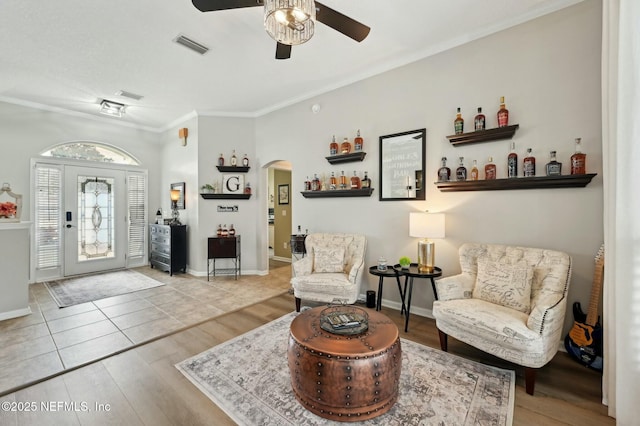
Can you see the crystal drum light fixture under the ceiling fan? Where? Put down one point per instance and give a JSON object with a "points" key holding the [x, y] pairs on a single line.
{"points": [[290, 22]]}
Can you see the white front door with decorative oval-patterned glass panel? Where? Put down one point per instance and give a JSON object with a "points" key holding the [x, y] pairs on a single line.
{"points": [[94, 220]]}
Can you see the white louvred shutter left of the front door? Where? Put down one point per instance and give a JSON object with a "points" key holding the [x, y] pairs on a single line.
{"points": [[48, 215]]}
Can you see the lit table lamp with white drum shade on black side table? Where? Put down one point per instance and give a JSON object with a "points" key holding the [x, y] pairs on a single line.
{"points": [[426, 225]]}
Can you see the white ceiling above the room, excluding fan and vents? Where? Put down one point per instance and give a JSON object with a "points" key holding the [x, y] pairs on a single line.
{"points": [[71, 54]]}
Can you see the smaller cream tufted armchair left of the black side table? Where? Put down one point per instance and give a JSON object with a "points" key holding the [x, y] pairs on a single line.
{"points": [[332, 269]]}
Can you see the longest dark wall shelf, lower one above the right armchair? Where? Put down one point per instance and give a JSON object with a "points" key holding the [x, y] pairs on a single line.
{"points": [[537, 182]]}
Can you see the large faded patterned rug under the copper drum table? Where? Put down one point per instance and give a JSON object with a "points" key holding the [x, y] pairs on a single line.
{"points": [[248, 378]]}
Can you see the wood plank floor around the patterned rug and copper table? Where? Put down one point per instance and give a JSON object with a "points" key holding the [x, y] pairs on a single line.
{"points": [[142, 387]]}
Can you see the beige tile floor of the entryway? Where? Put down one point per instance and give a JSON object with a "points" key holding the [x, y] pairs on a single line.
{"points": [[52, 340]]}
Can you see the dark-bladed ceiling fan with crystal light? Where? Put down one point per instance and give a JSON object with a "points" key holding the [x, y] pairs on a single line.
{"points": [[292, 22]]}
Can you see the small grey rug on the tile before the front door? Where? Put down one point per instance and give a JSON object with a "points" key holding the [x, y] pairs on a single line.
{"points": [[73, 291]]}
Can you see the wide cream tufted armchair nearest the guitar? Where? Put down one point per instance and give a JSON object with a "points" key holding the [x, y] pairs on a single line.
{"points": [[508, 301]]}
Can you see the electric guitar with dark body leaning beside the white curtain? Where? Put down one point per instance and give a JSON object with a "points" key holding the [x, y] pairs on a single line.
{"points": [[584, 341]]}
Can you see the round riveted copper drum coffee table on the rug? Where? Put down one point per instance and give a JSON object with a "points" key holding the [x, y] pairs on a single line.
{"points": [[345, 377]]}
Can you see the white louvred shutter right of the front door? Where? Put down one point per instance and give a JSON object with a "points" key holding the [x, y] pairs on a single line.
{"points": [[137, 211]]}
